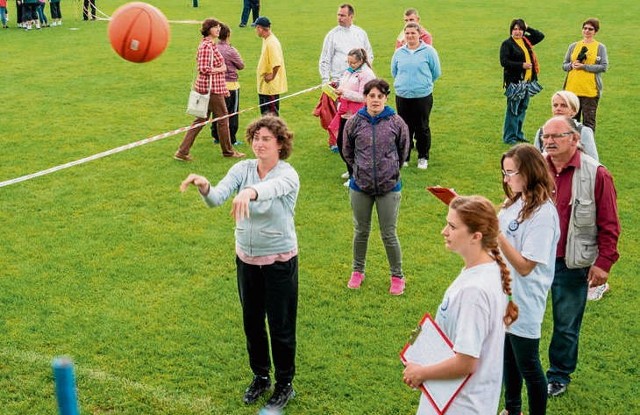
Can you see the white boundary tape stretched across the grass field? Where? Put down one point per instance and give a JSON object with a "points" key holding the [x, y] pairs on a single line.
{"points": [[141, 142]]}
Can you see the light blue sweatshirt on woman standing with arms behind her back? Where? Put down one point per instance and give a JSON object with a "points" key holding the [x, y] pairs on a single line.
{"points": [[414, 72]]}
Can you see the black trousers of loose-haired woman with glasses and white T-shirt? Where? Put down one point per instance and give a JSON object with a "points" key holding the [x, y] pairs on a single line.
{"points": [[522, 360]]}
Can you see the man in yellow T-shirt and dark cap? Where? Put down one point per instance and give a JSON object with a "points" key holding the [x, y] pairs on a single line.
{"points": [[271, 74]]}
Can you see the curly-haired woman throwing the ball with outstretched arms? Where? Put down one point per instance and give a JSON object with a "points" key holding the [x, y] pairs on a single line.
{"points": [[266, 190]]}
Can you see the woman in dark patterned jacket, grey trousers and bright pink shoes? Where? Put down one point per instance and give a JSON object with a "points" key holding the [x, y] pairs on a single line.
{"points": [[375, 146]]}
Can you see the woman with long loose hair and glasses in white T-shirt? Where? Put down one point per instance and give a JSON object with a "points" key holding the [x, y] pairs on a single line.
{"points": [[529, 233]]}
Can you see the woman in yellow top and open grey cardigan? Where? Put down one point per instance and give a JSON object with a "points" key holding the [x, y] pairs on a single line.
{"points": [[584, 63]]}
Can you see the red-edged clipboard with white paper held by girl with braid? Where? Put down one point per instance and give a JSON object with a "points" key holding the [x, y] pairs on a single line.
{"points": [[429, 345]]}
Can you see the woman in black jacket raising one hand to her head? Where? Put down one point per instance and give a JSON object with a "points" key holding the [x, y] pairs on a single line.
{"points": [[520, 77]]}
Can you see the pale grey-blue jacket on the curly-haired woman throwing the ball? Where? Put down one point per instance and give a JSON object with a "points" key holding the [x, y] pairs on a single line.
{"points": [[270, 228]]}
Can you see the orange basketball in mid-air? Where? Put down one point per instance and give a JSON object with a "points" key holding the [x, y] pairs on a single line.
{"points": [[138, 32]]}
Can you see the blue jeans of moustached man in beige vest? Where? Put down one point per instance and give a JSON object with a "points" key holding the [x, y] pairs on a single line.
{"points": [[568, 298]]}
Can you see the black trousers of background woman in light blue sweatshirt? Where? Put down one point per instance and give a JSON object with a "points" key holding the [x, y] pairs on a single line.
{"points": [[416, 112]]}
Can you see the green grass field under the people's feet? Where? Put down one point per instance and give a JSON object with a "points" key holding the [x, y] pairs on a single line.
{"points": [[109, 263]]}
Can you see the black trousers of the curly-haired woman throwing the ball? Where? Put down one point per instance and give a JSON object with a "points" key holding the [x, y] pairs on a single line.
{"points": [[270, 292]]}
